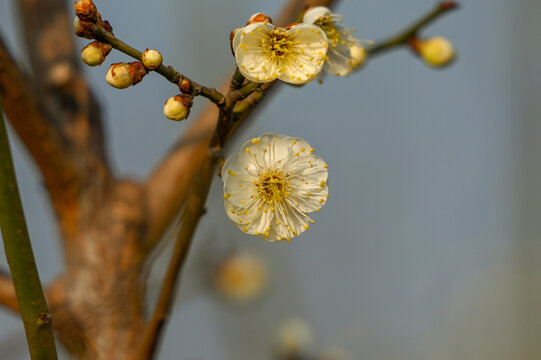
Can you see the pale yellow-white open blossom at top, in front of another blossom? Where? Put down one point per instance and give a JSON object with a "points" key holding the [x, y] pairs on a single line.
{"points": [[264, 52]]}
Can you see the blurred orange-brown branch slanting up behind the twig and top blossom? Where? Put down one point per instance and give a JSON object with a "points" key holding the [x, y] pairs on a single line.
{"points": [[168, 187]]}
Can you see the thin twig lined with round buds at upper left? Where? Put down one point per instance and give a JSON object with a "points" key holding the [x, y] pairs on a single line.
{"points": [[167, 72]]}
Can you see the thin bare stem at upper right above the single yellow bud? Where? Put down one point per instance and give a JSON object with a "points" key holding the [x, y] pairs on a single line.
{"points": [[411, 32]]}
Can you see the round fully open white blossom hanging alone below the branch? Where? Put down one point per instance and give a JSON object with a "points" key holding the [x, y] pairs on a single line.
{"points": [[271, 184]]}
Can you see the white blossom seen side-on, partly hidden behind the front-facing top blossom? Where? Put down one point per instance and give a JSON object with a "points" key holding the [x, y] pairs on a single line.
{"points": [[345, 51]]}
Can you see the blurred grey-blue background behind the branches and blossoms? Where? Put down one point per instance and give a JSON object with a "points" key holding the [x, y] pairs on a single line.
{"points": [[428, 247]]}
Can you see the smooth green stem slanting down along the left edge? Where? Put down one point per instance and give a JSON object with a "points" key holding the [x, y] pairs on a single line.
{"points": [[32, 305]]}
